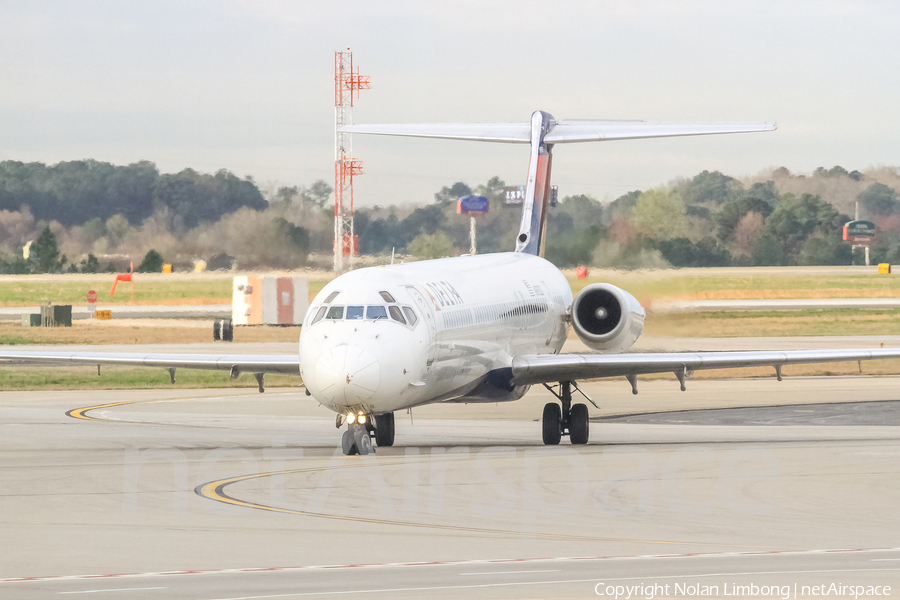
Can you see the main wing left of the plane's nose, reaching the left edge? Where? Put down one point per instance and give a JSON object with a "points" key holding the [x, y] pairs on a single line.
{"points": [[286, 364]]}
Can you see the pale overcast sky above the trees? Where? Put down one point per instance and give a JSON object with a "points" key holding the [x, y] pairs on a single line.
{"points": [[248, 86]]}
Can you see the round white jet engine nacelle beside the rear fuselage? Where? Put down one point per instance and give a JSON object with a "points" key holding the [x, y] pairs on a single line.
{"points": [[607, 318]]}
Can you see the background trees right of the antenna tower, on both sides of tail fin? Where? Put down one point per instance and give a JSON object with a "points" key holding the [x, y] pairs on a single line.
{"points": [[710, 219]]}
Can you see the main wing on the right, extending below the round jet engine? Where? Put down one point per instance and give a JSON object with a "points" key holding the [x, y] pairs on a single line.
{"points": [[546, 368]]}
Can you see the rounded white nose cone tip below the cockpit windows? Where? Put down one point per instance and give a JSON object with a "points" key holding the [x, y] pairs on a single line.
{"points": [[347, 375]]}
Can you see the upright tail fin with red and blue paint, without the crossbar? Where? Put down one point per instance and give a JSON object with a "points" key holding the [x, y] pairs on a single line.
{"points": [[537, 191]]}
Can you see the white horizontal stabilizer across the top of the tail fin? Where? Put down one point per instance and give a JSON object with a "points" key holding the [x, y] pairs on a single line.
{"points": [[561, 132]]}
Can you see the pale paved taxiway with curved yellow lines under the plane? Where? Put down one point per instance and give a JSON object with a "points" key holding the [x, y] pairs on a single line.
{"points": [[214, 494]]}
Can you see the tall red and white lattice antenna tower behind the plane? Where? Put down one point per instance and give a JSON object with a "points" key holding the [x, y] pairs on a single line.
{"points": [[346, 83]]}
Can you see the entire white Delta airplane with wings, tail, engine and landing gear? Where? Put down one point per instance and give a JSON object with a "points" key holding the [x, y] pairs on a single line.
{"points": [[474, 328]]}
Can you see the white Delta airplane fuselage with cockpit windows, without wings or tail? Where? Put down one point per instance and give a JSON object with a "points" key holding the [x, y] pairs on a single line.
{"points": [[382, 339]]}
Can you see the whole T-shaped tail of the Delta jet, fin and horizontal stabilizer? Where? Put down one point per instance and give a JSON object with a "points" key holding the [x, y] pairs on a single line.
{"points": [[542, 133]]}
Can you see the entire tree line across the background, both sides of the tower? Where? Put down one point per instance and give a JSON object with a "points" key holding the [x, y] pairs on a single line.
{"points": [[89, 216]]}
